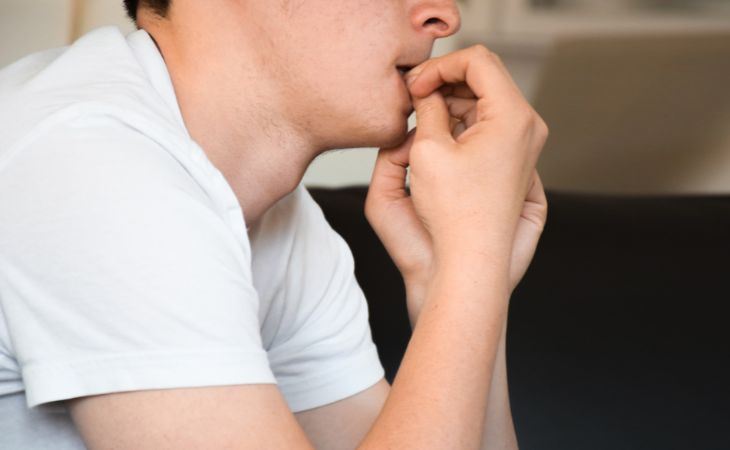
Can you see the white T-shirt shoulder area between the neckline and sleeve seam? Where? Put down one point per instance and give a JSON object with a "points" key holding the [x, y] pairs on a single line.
{"points": [[98, 74]]}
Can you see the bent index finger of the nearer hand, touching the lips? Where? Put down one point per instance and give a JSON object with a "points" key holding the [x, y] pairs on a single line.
{"points": [[479, 68]]}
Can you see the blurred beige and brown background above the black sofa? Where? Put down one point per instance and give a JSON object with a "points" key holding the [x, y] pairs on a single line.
{"points": [[636, 92]]}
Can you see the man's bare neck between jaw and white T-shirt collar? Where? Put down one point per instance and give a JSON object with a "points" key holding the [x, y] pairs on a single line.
{"points": [[239, 119]]}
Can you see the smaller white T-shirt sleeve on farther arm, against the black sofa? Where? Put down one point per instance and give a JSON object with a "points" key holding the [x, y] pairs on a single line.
{"points": [[323, 350]]}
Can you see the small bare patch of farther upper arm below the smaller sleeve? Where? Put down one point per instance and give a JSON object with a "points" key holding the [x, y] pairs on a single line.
{"points": [[344, 424]]}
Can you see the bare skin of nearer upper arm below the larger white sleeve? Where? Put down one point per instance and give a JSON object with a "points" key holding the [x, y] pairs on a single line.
{"points": [[231, 417]]}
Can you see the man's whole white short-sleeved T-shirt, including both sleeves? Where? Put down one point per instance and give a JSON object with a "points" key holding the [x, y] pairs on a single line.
{"points": [[125, 261]]}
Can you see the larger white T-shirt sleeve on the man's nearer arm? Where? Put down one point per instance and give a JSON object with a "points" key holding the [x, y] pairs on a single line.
{"points": [[117, 272]]}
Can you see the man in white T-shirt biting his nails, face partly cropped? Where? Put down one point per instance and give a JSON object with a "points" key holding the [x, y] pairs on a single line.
{"points": [[167, 283]]}
